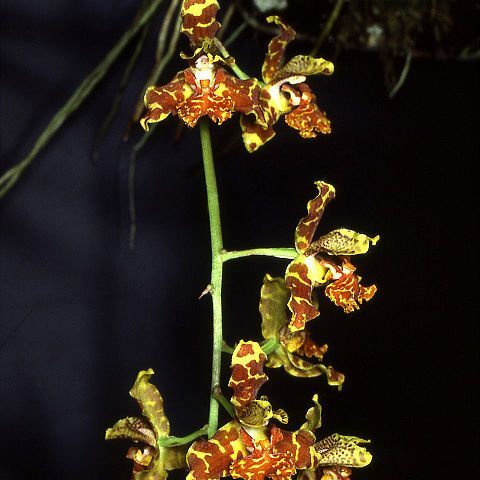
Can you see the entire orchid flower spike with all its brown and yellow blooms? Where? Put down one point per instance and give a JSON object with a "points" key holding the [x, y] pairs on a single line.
{"points": [[252, 446]]}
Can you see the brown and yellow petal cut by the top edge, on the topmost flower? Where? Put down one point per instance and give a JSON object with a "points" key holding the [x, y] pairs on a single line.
{"points": [[199, 20]]}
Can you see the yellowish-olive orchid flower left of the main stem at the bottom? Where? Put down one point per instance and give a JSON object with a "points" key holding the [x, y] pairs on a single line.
{"points": [[151, 461]]}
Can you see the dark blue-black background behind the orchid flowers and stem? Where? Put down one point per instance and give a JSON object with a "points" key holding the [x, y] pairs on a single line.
{"points": [[81, 314]]}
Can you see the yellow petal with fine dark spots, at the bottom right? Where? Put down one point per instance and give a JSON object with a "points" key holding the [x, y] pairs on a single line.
{"points": [[342, 450]]}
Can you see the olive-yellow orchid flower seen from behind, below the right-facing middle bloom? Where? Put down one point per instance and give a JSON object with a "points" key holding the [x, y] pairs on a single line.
{"points": [[294, 347]]}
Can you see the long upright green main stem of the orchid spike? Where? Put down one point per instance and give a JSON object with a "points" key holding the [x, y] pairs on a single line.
{"points": [[217, 267]]}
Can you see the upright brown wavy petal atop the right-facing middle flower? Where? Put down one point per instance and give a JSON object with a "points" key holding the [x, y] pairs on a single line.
{"points": [[307, 226]]}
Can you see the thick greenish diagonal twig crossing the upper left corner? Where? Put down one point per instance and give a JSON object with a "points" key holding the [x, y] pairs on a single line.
{"points": [[11, 176]]}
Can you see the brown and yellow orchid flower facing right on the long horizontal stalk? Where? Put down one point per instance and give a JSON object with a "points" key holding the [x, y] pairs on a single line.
{"points": [[317, 264]]}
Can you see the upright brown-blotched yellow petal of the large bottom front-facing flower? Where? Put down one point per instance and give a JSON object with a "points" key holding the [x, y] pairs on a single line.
{"points": [[247, 375]]}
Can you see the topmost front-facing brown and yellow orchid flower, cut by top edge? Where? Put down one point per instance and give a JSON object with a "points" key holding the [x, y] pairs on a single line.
{"points": [[205, 88]]}
